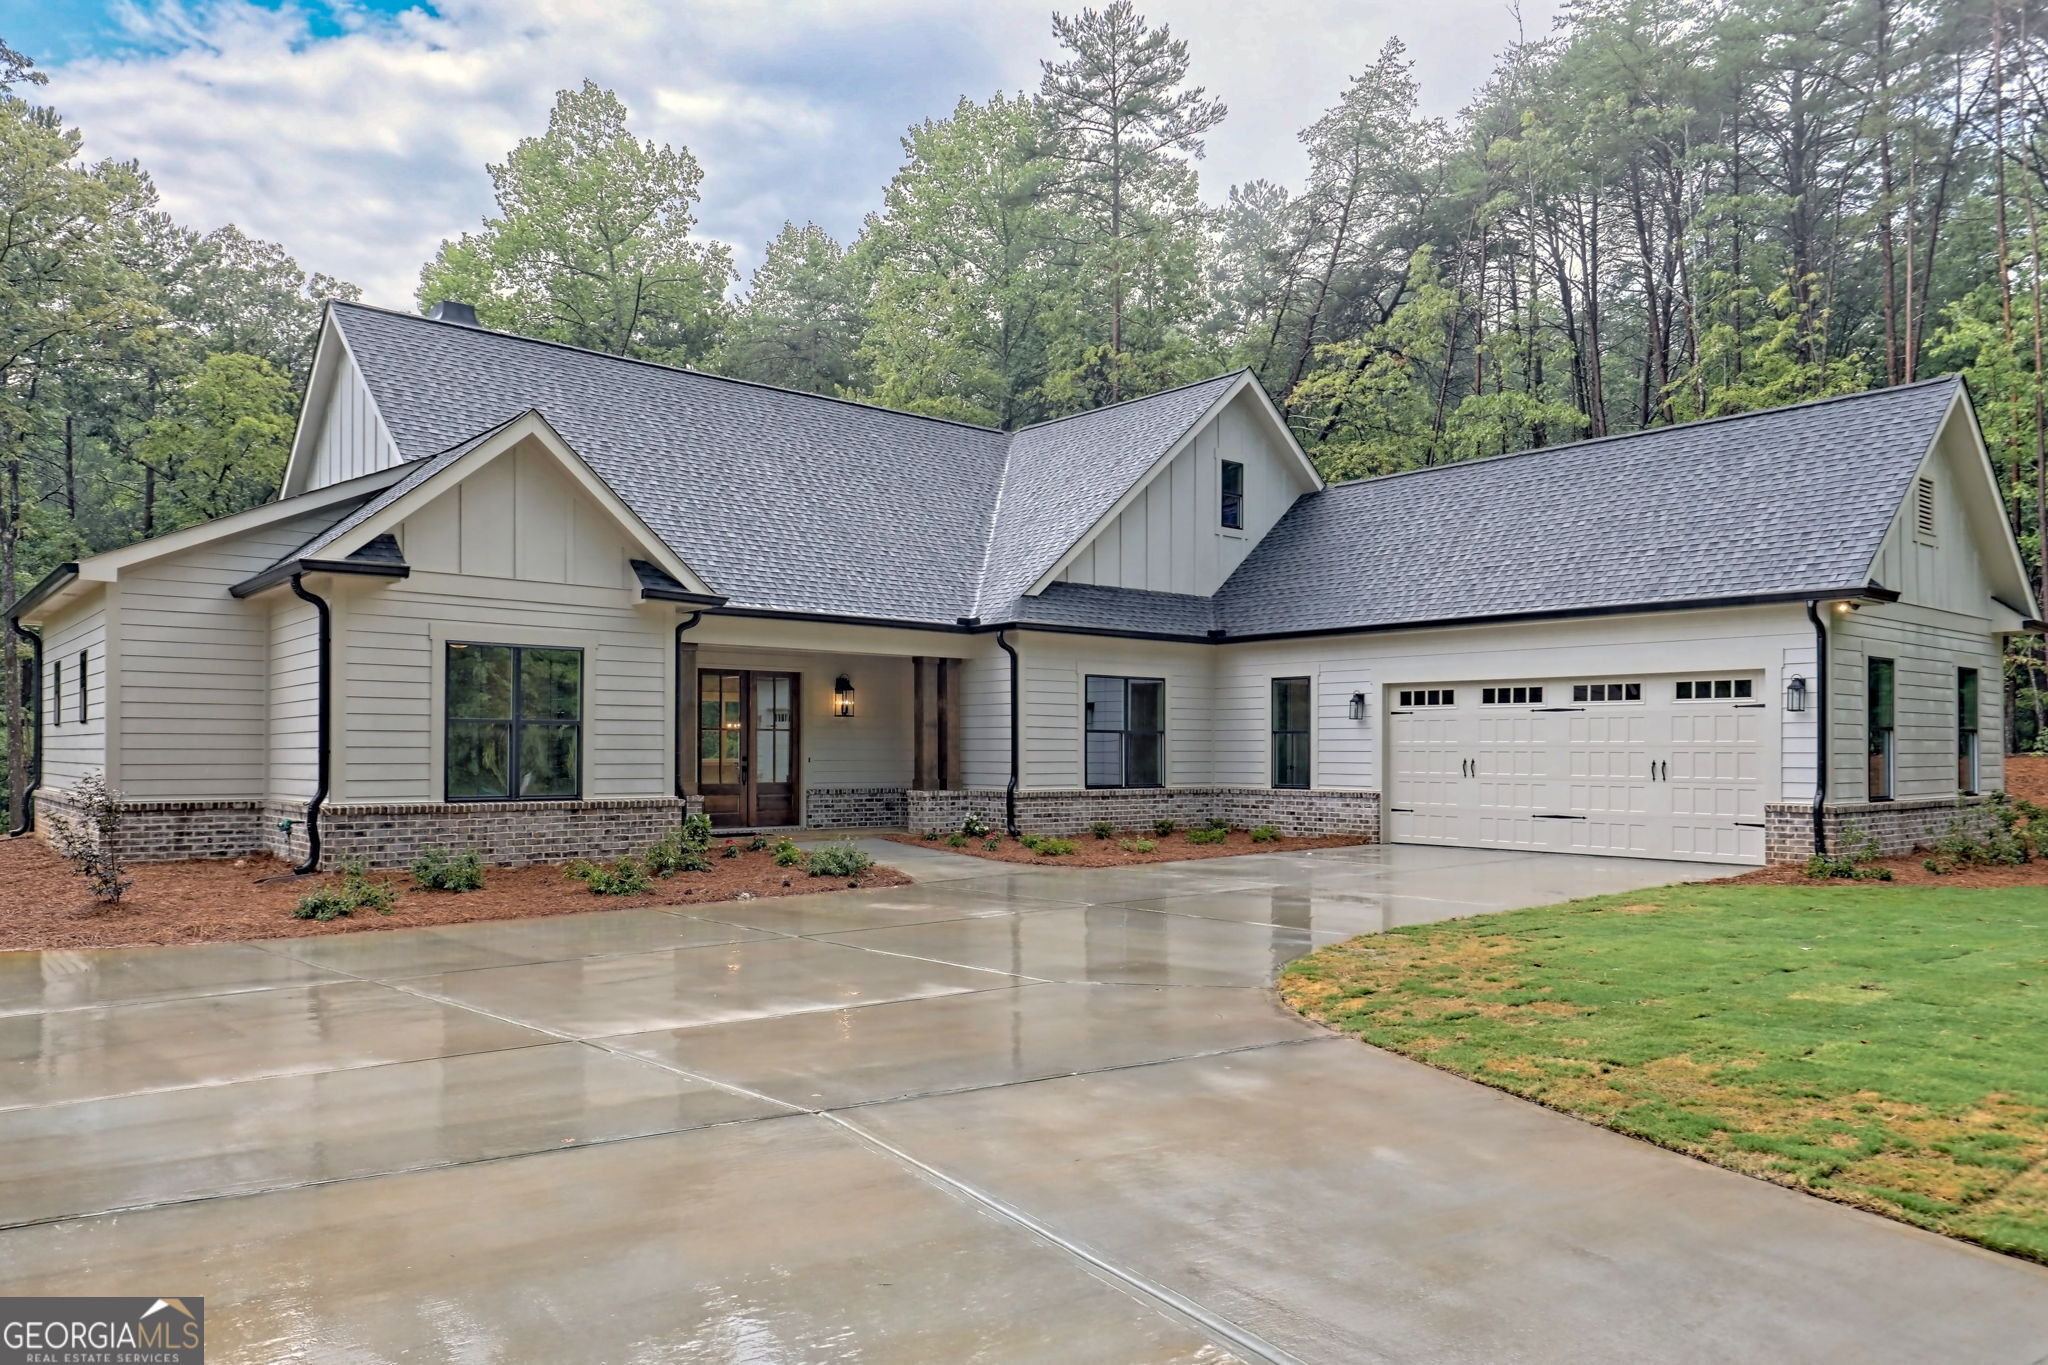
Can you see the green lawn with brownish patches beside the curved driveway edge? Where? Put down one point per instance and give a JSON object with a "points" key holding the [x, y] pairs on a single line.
{"points": [[1881, 1047]]}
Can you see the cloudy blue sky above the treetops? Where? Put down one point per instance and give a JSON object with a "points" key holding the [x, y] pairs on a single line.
{"points": [[355, 132]]}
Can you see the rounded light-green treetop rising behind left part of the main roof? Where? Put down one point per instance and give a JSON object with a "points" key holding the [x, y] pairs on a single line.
{"points": [[593, 243]]}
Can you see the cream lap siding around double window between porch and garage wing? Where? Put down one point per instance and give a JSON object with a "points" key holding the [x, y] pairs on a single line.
{"points": [[1056, 721]]}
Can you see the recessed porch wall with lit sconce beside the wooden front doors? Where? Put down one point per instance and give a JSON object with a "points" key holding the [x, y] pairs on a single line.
{"points": [[867, 750]]}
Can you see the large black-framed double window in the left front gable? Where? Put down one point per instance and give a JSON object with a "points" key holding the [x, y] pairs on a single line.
{"points": [[515, 723]]}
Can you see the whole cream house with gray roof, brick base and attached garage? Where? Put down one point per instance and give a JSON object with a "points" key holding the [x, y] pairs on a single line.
{"points": [[538, 601]]}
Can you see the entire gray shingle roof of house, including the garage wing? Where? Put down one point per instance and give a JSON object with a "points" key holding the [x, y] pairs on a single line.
{"points": [[806, 504]]}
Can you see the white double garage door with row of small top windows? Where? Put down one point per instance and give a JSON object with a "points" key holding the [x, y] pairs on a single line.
{"points": [[1633, 766]]}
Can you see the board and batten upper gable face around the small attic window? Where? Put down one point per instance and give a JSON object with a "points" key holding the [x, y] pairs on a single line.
{"points": [[1172, 537]]}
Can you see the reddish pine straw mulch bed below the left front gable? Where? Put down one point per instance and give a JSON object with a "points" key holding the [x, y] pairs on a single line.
{"points": [[44, 904]]}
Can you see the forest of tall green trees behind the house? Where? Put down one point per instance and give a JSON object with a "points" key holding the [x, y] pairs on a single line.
{"points": [[1652, 214]]}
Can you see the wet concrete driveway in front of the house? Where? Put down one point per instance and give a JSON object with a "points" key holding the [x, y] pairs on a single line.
{"points": [[996, 1116]]}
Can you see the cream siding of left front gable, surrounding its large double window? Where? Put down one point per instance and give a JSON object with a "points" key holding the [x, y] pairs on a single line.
{"points": [[513, 556]]}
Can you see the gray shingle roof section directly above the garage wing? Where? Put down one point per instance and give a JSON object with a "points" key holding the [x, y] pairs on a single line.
{"points": [[1773, 502]]}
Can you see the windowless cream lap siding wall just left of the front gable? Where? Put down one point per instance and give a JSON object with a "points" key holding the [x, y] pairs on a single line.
{"points": [[194, 668]]}
